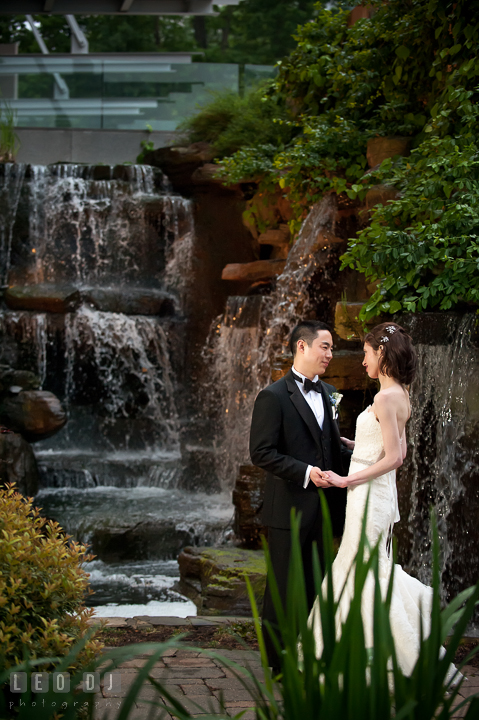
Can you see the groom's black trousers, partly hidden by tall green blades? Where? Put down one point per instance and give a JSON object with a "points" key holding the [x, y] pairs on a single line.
{"points": [[279, 544]]}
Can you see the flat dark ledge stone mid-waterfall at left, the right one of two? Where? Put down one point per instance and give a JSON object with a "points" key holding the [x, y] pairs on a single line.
{"points": [[131, 301]]}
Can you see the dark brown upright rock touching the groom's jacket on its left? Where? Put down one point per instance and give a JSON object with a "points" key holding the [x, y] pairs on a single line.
{"points": [[248, 497]]}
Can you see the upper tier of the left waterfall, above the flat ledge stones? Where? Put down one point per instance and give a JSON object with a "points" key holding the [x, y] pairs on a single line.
{"points": [[88, 230]]}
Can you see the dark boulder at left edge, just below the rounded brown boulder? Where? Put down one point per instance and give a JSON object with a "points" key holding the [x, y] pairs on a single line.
{"points": [[17, 463]]}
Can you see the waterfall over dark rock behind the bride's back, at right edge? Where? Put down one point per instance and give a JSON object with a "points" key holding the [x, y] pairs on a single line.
{"points": [[441, 468]]}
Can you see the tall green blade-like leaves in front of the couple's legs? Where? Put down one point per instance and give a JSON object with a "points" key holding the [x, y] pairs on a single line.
{"points": [[357, 683]]}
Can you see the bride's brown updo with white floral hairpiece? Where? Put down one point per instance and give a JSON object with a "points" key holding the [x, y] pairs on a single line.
{"points": [[398, 357]]}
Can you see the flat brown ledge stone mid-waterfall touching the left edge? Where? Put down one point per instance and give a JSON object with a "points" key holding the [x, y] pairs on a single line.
{"points": [[43, 298]]}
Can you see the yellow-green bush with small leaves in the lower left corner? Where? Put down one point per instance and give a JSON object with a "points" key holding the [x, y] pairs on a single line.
{"points": [[42, 585]]}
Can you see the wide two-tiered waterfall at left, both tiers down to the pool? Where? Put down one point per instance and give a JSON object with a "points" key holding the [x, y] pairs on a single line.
{"points": [[119, 239]]}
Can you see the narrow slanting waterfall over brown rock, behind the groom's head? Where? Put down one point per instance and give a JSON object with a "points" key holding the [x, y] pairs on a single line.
{"points": [[244, 341]]}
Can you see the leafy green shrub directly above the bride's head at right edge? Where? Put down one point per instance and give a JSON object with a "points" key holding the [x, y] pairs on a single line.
{"points": [[424, 246]]}
